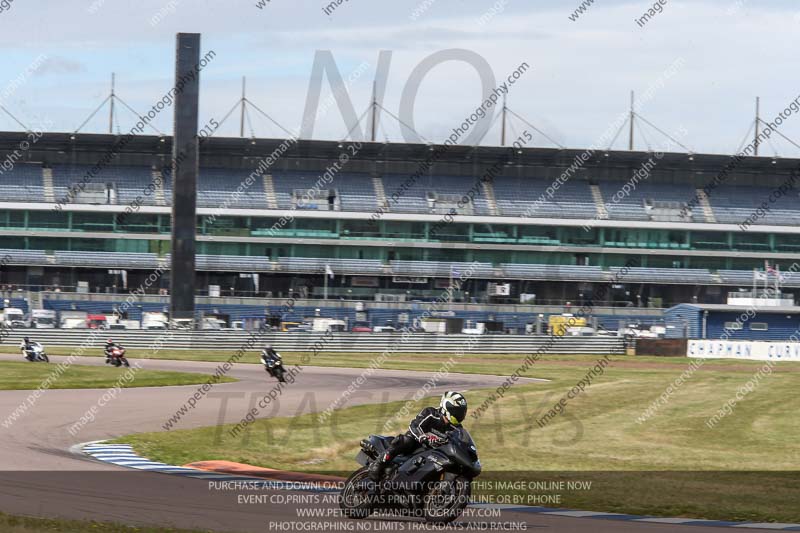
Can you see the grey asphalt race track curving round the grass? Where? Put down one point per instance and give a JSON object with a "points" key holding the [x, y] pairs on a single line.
{"points": [[40, 476]]}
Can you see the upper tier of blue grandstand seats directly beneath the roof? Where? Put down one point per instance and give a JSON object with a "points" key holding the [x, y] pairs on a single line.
{"points": [[515, 196]]}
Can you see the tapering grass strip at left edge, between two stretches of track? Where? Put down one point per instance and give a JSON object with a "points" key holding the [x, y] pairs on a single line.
{"points": [[25, 375]]}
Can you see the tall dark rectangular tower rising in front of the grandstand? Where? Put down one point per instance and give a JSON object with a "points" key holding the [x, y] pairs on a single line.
{"points": [[184, 175]]}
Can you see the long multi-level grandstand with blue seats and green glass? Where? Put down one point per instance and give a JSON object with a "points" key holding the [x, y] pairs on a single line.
{"points": [[378, 224]]}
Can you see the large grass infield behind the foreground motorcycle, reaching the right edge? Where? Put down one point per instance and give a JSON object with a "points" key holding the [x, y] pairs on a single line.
{"points": [[670, 465]]}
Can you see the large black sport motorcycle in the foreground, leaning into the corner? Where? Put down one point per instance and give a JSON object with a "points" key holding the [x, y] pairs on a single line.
{"points": [[434, 482]]}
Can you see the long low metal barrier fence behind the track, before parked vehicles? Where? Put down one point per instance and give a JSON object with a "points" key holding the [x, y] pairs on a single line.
{"points": [[337, 342]]}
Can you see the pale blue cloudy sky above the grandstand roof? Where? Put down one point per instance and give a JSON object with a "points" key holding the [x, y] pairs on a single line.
{"points": [[696, 66]]}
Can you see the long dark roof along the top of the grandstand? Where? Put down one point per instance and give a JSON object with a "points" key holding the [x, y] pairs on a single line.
{"points": [[85, 147]]}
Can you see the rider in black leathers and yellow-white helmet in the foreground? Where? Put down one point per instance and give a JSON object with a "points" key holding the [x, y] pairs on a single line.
{"points": [[448, 416]]}
